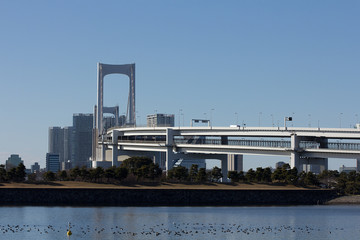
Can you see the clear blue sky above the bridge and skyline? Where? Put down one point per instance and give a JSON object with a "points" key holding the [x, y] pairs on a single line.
{"points": [[280, 58]]}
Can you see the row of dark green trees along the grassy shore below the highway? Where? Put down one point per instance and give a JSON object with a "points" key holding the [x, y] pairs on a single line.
{"points": [[142, 170]]}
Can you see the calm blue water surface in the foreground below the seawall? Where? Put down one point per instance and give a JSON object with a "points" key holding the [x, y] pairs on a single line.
{"points": [[300, 222]]}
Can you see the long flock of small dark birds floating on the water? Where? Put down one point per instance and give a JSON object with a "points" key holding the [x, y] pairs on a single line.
{"points": [[174, 230]]}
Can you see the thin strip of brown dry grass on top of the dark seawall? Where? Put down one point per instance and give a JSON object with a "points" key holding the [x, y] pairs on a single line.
{"points": [[220, 186]]}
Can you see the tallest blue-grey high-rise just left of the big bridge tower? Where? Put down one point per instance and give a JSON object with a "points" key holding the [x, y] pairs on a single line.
{"points": [[82, 146]]}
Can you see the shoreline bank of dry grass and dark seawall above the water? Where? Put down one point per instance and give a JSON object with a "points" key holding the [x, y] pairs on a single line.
{"points": [[166, 194]]}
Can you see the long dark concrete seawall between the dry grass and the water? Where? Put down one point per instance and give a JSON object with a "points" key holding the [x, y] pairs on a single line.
{"points": [[160, 197]]}
